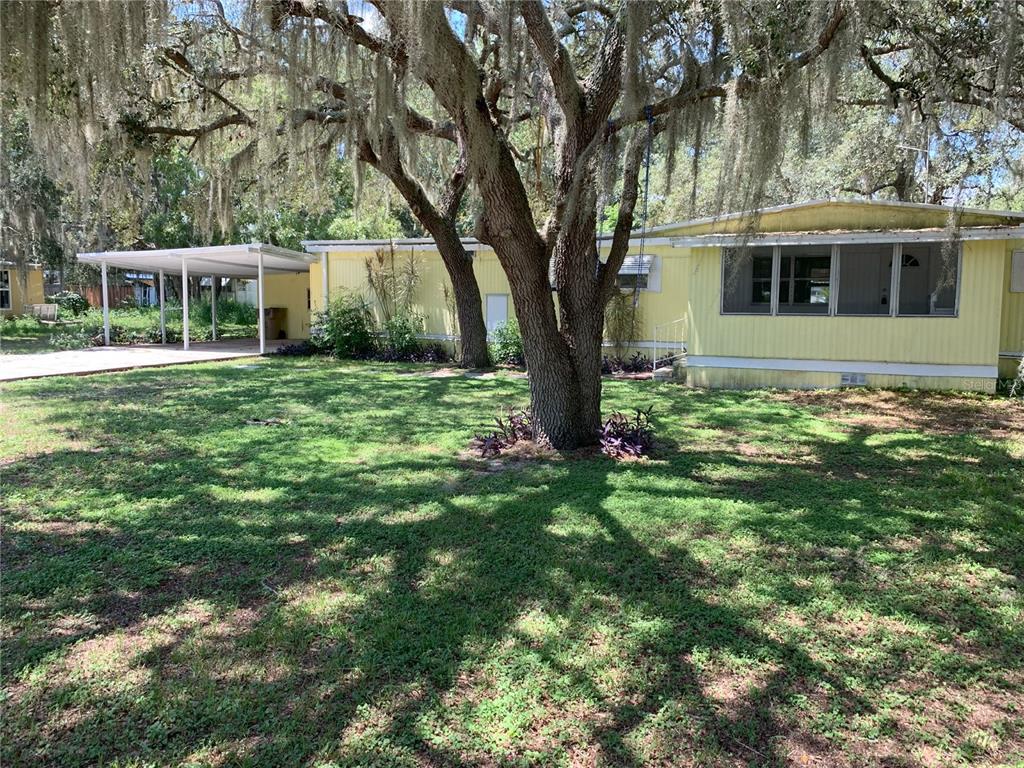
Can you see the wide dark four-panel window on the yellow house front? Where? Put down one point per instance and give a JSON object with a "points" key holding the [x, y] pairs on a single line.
{"points": [[843, 280]]}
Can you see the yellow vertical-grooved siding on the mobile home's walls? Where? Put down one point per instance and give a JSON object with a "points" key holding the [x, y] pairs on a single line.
{"points": [[690, 291]]}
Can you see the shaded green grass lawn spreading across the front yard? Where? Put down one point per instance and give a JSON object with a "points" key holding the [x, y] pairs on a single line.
{"points": [[288, 563]]}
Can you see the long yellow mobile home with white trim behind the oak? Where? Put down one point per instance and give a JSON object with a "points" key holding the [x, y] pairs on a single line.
{"points": [[820, 294]]}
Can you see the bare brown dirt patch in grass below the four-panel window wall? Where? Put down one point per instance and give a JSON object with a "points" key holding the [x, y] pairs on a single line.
{"points": [[940, 413]]}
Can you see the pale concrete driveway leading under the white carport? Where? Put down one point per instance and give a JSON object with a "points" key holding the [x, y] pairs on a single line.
{"points": [[100, 360]]}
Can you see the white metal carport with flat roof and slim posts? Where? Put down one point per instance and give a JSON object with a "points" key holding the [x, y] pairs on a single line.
{"points": [[252, 262]]}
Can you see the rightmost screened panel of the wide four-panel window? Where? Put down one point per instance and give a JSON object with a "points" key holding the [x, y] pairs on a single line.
{"points": [[928, 279]]}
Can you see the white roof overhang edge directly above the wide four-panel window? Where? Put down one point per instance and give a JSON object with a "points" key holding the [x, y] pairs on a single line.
{"points": [[882, 236]]}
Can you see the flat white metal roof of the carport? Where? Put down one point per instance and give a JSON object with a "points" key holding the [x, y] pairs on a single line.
{"points": [[225, 262]]}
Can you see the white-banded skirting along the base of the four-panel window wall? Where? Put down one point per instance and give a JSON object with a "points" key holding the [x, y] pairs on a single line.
{"points": [[749, 373]]}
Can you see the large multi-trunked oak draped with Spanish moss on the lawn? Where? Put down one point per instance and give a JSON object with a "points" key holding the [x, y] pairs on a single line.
{"points": [[544, 112]]}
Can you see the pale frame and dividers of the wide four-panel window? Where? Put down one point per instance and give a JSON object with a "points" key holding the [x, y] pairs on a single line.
{"points": [[834, 286]]}
